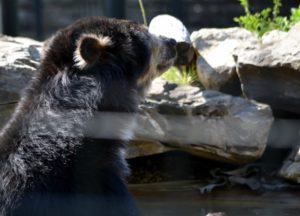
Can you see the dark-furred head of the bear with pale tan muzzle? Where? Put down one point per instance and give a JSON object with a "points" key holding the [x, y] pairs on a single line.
{"points": [[115, 49]]}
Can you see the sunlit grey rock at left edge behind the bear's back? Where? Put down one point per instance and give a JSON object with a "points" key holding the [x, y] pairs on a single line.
{"points": [[19, 59]]}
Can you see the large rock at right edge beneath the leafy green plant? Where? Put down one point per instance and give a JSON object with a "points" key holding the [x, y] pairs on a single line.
{"points": [[270, 72]]}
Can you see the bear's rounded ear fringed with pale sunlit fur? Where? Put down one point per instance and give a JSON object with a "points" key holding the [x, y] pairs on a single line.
{"points": [[90, 48]]}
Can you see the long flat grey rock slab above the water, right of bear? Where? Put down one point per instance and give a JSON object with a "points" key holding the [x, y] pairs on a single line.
{"points": [[205, 123]]}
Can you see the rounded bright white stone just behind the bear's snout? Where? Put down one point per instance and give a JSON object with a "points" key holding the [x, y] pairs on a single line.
{"points": [[171, 27]]}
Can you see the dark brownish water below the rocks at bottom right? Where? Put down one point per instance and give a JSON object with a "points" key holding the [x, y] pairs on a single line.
{"points": [[182, 199]]}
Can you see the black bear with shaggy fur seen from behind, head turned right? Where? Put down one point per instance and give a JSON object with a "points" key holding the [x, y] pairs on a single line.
{"points": [[62, 152]]}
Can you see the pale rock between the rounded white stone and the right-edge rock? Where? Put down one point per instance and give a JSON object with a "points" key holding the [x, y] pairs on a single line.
{"points": [[215, 65]]}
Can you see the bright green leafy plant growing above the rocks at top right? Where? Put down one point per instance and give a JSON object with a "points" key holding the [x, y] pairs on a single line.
{"points": [[268, 19]]}
